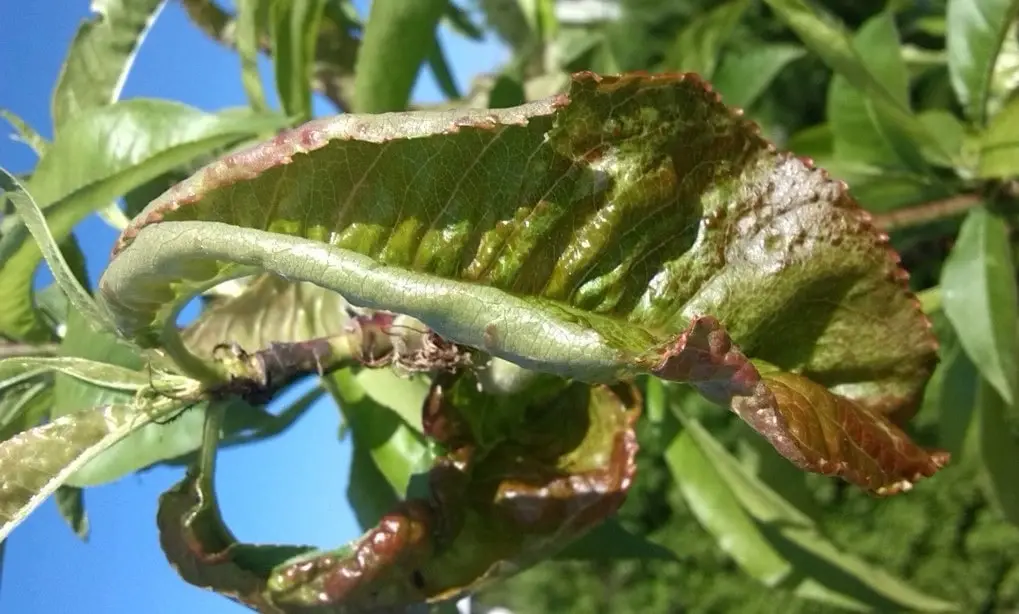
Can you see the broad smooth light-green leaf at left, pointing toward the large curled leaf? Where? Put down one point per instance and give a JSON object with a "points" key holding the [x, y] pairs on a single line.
{"points": [[97, 158]]}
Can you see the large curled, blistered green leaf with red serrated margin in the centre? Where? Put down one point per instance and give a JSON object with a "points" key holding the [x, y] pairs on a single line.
{"points": [[591, 257]]}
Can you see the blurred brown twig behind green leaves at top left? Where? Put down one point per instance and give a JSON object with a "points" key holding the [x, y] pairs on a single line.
{"points": [[335, 60]]}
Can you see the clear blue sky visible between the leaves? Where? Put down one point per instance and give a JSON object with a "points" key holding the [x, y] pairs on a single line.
{"points": [[288, 490]]}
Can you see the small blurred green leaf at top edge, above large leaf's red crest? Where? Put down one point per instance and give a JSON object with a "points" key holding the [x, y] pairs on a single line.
{"points": [[700, 44]]}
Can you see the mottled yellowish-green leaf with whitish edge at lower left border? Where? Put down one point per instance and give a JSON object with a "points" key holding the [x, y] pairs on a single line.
{"points": [[36, 463]]}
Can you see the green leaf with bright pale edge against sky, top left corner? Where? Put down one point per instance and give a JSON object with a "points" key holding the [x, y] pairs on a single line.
{"points": [[100, 58]]}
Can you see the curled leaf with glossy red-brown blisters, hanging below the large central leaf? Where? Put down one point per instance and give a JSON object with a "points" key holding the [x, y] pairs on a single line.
{"points": [[490, 515]]}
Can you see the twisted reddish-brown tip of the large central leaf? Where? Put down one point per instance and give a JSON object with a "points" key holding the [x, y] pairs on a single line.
{"points": [[814, 428]]}
